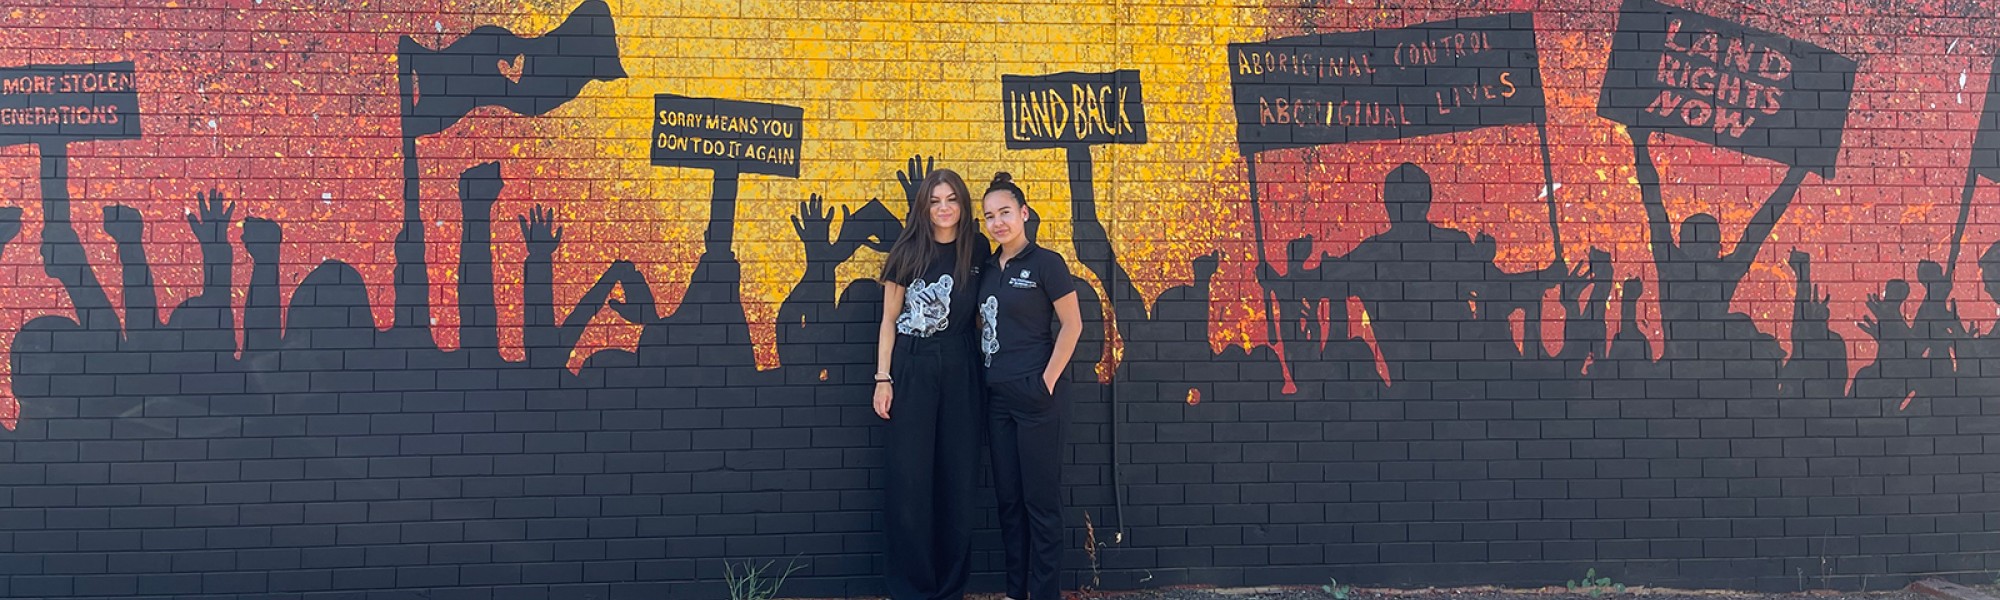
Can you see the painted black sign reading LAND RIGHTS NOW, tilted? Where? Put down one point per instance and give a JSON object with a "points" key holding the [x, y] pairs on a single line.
{"points": [[1729, 85]]}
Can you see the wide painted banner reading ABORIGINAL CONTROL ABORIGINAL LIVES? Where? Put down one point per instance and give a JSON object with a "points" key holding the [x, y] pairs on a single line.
{"points": [[1383, 85]]}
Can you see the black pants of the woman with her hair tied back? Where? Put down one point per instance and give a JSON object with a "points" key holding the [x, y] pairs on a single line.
{"points": [[1027, 437]]}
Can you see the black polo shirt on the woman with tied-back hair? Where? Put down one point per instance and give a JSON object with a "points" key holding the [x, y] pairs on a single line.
{"points": [[1017, 311]]}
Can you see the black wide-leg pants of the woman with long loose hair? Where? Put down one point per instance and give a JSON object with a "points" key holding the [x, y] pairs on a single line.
{"points": [[933, 463]]}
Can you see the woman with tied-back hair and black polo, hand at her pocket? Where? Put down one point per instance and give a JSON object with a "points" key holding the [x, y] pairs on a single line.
{"points": [[1021, 291]]}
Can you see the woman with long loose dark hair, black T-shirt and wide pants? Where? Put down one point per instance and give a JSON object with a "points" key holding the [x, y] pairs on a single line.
{"points": [[929, 391]]}
